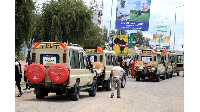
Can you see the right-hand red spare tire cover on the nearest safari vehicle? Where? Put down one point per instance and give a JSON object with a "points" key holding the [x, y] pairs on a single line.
{"points": [[58, 73]]}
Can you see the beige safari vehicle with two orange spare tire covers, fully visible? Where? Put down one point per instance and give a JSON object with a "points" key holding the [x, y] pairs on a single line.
{"points": [[149, 65]]}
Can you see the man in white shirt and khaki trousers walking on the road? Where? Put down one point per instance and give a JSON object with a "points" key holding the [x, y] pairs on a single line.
{"points": [[117, 74]]}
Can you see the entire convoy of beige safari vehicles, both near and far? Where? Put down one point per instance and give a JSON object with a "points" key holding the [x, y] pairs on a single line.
{"points": [[67, 69]]}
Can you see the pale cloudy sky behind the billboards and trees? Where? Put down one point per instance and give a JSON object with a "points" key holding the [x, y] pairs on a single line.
{"points": [[162, 12]]}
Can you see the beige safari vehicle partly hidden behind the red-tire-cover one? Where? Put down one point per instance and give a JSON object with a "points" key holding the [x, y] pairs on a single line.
{"points": [[108, 59]]}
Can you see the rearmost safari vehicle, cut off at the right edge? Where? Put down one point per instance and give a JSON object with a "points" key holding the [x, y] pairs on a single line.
{"points": [[177, 61]]}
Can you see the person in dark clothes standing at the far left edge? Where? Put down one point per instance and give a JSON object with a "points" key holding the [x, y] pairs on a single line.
{"points": [[18, 76]]}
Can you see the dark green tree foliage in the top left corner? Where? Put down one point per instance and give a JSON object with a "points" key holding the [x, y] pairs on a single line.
{"points": [[24, 22]]}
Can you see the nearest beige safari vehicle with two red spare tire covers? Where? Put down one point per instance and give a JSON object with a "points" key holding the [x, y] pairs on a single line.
{"points": [[59, 68]]}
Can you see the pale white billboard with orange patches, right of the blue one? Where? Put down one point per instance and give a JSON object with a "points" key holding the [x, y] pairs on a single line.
{"points": [[161, 35]]}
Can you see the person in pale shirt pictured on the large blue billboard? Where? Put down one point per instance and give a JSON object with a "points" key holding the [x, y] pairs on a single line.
{"points": [[123, 12]]}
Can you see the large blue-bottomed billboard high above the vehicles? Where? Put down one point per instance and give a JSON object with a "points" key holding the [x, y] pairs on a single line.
{"points": [[133, 14]]}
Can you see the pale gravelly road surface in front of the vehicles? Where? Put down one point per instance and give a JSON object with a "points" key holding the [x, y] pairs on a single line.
{"points": [[141, 96]]}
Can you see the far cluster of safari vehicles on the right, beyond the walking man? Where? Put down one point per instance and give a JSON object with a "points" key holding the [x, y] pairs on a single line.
{"points": [[157, 64]]}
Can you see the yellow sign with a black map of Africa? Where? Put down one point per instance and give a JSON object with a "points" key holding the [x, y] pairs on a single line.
{"points": [[120, 44]]}
